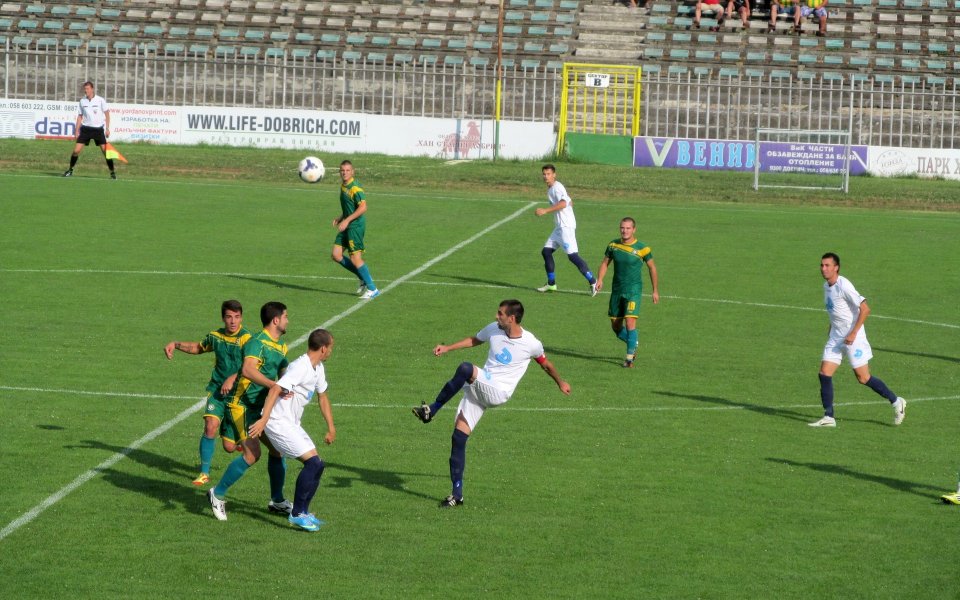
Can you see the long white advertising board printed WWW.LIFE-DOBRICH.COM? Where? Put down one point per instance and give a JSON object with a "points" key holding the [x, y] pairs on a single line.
{"points": [[286, 128]]}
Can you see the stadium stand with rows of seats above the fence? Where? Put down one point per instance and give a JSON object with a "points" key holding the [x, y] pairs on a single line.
{"points": [[865, 38]]}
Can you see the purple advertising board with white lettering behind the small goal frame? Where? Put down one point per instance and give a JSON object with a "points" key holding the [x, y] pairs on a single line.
{"points": [[740, 155]]}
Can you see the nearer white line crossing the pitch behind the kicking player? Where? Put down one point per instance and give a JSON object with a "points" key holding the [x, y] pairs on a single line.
{"points": [[507, 407]]}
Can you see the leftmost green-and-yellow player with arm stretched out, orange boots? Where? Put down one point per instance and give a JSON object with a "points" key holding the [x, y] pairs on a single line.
{"points": [[226, 344]]}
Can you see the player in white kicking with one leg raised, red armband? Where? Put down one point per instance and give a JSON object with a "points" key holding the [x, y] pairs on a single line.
{"points": [[511, 349]]}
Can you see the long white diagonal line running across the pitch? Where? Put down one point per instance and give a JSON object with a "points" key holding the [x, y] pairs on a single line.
{"points": [[83, 478]]}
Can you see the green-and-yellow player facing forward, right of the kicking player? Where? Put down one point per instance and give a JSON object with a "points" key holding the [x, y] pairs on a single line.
{"points": [[628, 256]]}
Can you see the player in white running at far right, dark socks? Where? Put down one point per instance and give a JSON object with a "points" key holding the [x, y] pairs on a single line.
{"points": [[848, 310]]}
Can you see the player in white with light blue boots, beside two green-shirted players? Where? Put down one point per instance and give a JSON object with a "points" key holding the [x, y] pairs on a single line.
{"points": [[280, 420]]}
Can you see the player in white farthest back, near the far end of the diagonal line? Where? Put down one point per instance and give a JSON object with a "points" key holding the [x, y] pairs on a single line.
{"points": [[564, 234]]}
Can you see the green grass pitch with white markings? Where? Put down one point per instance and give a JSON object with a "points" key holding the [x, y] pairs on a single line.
{"points": [[692, 476]]}
